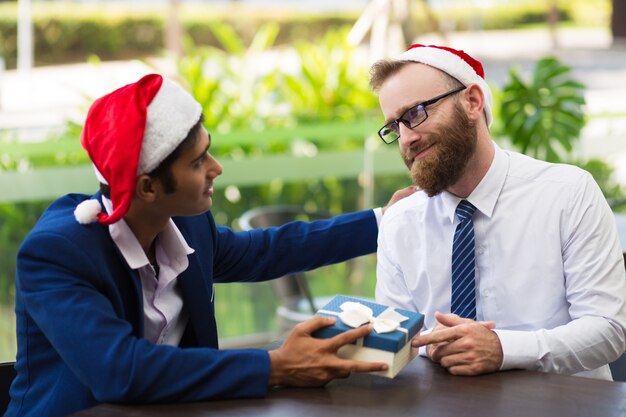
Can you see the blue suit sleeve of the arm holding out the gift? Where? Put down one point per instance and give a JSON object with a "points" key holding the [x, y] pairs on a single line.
{"points": [[78, 314]]}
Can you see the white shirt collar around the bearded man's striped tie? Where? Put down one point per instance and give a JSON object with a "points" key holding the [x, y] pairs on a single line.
{"points": [[486, 193]]}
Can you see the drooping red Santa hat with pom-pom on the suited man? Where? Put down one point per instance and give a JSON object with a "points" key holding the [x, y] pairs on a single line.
{"points": [[130, 132]]}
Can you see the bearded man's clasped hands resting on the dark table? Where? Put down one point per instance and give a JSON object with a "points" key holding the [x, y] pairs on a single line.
{"points": [[463, 347]]}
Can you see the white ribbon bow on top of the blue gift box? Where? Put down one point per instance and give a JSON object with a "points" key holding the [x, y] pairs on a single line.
{"points": [[356, 314]]}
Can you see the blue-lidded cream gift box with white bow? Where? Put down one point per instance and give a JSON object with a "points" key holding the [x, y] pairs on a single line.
{"points": [[388, 342]]}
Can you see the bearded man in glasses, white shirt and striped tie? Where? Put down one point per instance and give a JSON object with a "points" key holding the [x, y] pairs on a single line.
{"points": [[515, 262]]}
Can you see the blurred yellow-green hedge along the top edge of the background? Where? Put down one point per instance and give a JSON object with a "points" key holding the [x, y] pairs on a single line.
{"points": [[72, 32]]}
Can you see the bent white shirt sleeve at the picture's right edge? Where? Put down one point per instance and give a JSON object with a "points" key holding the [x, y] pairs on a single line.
{"points": [[595, 291]]}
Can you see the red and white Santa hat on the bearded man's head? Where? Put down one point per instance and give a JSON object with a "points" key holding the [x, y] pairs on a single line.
{"points": [[455, 63]]}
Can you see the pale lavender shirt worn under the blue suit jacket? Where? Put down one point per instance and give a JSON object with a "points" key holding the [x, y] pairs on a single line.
{"points": [[165, 317]]}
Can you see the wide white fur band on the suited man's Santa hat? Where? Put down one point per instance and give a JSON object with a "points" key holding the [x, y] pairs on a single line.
{"points": [[170, 116]]}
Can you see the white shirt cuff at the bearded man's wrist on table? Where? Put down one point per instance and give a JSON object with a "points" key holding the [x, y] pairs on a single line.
{"points": [[519, 349]]}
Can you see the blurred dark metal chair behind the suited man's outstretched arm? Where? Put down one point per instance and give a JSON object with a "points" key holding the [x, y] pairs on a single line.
{"points": [[297, 302]]}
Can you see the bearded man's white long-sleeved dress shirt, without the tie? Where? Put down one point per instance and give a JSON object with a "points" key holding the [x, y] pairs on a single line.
{"points": [[549, 266]]}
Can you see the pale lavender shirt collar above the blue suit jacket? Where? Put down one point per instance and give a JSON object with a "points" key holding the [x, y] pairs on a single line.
{"points": [[171, 240]]}
